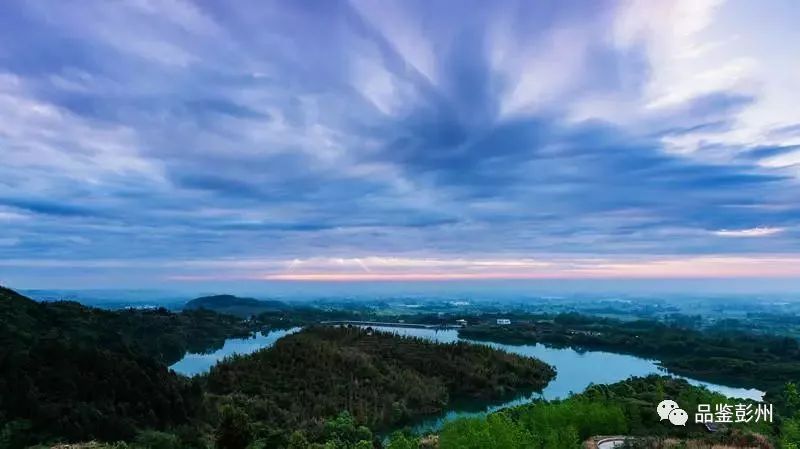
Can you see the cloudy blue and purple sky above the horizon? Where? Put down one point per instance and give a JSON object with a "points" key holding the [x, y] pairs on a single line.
{"points": [[177, 142]]}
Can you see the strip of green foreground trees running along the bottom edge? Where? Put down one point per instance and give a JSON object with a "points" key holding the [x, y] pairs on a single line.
{"points": [[623, 408]]}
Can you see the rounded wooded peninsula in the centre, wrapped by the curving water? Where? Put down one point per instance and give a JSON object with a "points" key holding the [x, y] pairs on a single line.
{"points": [[380, 378]]}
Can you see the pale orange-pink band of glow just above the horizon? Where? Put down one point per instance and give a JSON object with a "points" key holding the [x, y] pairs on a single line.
{"points": [[389, 269]]}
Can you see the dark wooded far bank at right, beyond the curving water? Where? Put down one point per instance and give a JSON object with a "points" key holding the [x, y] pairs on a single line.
{"points": [[732, 358]]}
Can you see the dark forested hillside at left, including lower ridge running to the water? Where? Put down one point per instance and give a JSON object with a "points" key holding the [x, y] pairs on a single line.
{"points": [[76, 372]]}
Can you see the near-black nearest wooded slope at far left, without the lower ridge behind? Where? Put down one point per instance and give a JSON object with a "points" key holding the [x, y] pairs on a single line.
{"points": [[65, 377]]}
